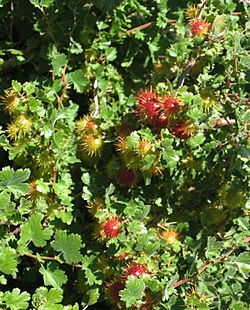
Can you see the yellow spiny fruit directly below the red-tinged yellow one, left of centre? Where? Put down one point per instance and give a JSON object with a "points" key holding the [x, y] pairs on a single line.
{"points": [[92, 144]]}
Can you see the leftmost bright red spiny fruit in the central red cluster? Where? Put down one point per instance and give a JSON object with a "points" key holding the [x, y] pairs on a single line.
{"points": [[148, 104]]}
